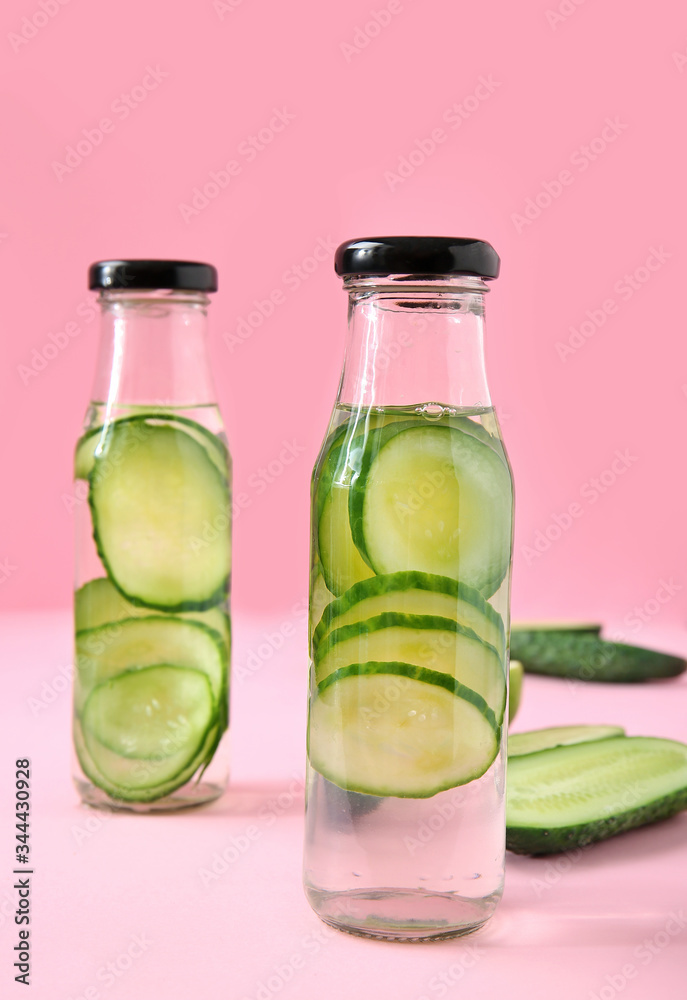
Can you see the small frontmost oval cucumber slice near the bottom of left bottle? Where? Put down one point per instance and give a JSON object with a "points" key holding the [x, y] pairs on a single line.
{"points": [[151, 714]]}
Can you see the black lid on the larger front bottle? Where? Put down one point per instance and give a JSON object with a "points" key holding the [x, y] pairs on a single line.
{"points": [[426, 255]]}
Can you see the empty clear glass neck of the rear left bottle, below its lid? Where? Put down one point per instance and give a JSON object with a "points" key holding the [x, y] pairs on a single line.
{"points": [[153, 349]]}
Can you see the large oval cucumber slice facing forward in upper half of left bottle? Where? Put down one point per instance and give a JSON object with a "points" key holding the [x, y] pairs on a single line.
{"points": [[154, 493]]}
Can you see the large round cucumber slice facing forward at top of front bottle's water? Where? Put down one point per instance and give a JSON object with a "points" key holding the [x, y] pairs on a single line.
{"points": [[435, 499]]}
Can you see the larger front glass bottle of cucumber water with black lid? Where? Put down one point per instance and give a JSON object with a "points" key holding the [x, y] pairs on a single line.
{"points": [[412, 513]]}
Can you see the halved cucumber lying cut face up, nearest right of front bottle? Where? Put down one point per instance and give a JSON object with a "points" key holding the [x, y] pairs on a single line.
{"points": [[575, 795]]}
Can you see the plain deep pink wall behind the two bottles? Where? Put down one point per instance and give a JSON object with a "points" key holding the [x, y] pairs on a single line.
{"points": [[358, 97]]}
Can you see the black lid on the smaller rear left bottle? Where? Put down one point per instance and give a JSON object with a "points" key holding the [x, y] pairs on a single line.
{"points": [[184, 275]]}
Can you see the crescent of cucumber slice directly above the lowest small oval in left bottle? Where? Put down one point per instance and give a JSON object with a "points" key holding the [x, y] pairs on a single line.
{"points": [[104, 652]]}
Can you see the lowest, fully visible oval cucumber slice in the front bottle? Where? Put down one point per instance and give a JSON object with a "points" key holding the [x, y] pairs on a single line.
{"points": [[397, 729]]}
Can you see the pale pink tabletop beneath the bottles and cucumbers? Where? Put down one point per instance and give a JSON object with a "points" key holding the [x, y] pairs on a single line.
{"points": [[129, 907]]}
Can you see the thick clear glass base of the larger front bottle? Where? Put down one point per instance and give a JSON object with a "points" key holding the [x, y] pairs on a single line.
{"points": [[402, 914]]}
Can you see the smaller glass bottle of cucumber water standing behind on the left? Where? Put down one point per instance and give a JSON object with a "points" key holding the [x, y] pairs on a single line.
{"points": [[153, 474]]}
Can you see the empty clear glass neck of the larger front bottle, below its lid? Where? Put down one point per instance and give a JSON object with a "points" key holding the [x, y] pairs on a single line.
{"points": [[414, 341]]}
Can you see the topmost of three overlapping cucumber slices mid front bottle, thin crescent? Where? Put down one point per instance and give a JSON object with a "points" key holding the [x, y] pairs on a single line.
{"points": [[414, 593]]}
